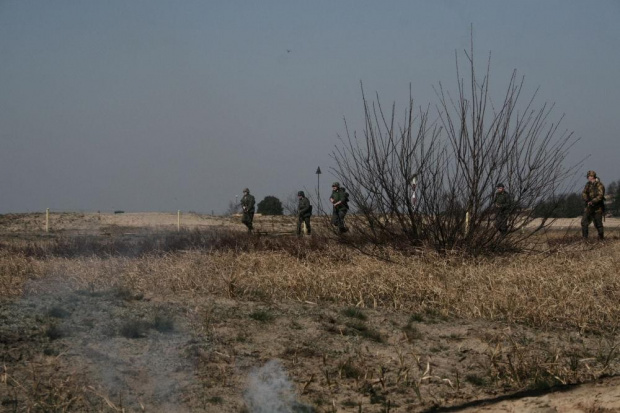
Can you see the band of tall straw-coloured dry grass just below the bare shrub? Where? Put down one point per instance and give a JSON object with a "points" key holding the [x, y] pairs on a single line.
{"points": [[576, 287]]}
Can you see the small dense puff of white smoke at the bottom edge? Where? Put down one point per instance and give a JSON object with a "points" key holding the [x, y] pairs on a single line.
{"points": [[270, 391]]}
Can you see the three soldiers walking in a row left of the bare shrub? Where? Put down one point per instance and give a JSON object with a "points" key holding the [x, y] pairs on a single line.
{"points": [[339, 199]]}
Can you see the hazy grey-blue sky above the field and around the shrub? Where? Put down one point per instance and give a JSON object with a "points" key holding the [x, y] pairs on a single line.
{"points": [[152, 105]]}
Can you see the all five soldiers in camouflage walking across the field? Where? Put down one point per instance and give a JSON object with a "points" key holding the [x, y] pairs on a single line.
{"points": [[593, 195]]}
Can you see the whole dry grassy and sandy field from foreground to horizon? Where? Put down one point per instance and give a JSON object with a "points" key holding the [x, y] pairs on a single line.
{"points": [[121, 312]]}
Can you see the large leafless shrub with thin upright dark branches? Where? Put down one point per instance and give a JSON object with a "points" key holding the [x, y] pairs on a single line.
{"points": [[423, 180]]}
